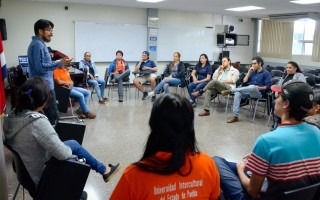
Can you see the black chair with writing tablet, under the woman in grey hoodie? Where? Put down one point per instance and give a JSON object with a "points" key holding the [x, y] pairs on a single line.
{"points": [[59, 180]]}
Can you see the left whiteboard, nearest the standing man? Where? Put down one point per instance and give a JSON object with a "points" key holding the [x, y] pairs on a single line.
{"points": [[103, 40]]}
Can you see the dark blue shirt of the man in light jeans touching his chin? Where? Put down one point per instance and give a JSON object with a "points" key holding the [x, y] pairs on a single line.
{"points": [[262, 78]]}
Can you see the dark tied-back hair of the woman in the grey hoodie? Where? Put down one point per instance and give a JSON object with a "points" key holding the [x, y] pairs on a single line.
{"points": [[32, 94]]}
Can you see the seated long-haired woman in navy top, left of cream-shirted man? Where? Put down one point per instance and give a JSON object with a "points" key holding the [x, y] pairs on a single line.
{"points": [[201, 75]]}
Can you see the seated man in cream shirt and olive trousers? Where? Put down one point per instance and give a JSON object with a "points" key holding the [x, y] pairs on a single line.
{"points": [[224, 78]]}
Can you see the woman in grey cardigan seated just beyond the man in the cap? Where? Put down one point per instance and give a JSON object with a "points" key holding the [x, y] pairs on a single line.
{"points": [[293, 72]]}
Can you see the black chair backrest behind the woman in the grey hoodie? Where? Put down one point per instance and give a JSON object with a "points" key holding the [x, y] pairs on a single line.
{"points": [[23, 175]]}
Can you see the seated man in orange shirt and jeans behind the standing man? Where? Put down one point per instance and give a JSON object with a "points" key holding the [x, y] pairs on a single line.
{"points": [[62, 77]]}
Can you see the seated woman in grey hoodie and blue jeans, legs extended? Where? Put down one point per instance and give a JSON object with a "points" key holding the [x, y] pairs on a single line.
{"points": [[30, 133]]}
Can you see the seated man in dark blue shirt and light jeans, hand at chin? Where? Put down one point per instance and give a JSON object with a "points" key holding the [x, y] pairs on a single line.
{"points": [[258, 80]]}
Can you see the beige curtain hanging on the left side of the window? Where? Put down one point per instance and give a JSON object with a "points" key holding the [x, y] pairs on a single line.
{"points": [[276, 39]]}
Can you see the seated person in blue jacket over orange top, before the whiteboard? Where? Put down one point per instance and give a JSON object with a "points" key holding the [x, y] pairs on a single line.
{"points": [[119, 71]]}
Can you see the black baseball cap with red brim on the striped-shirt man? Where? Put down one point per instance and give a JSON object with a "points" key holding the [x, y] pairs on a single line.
{"points": [[299, 94]]}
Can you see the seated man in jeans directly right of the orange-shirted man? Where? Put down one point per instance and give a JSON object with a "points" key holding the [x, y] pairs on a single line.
{"points": [[93, 77]]}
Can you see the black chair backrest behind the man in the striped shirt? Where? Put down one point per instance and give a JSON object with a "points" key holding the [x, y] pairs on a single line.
{"points": [[310, 192]]}
